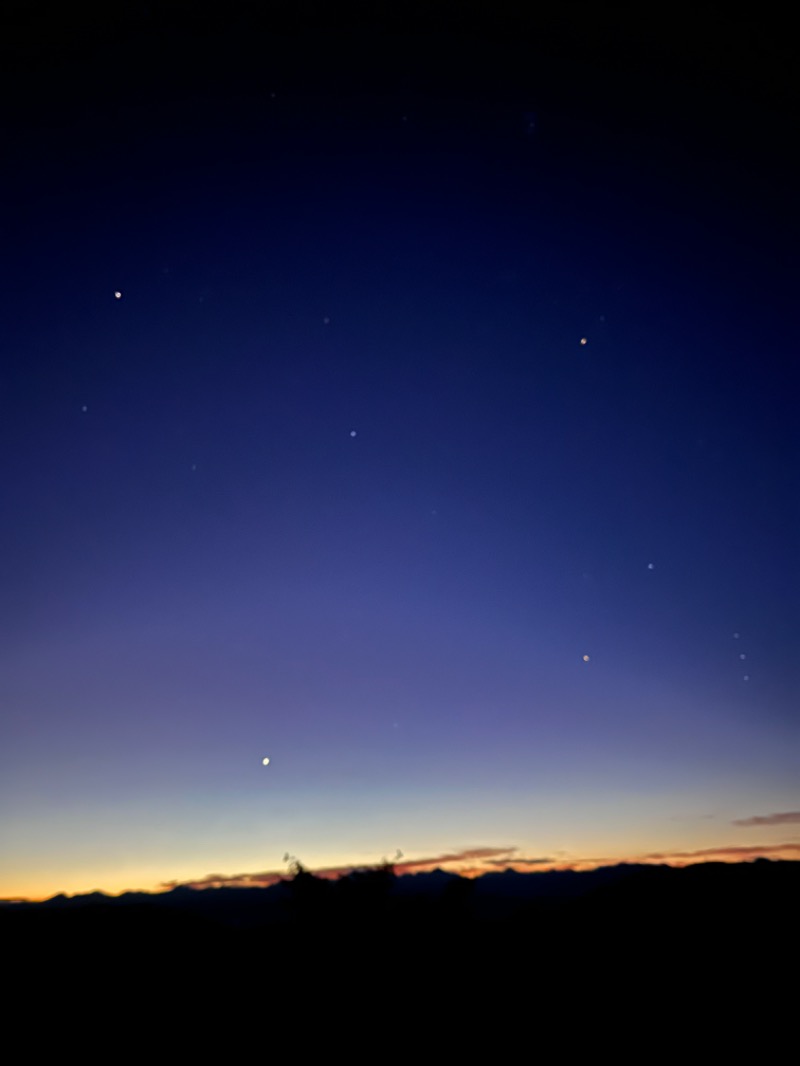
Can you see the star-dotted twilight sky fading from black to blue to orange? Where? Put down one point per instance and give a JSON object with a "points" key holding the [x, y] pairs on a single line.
{"points": [[412, 405]]}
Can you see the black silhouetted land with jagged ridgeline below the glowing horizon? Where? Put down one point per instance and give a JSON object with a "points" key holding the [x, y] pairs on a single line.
{"points": [[711, 946]]}
